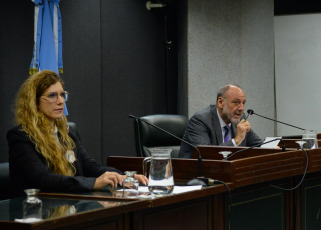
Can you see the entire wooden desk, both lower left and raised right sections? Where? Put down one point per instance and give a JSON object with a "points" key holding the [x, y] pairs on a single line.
{"points": [[256, 205]]}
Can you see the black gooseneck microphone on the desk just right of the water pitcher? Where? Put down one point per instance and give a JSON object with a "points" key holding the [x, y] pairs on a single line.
{"points": [[200, 180]]}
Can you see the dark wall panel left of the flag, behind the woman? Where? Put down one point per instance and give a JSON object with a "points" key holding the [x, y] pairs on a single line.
{"points": [[16, 44]]}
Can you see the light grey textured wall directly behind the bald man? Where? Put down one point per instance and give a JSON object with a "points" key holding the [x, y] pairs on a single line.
{"points": [[231, 41]]}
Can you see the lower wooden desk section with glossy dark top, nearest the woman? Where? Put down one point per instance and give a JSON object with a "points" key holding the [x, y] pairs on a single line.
{"points": [[192, 210]]}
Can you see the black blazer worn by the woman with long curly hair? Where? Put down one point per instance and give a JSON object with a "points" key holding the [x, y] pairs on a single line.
{"points": [[28, 168]]}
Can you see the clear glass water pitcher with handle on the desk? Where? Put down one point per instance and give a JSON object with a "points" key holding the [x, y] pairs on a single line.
{"points": [[161, 180]]}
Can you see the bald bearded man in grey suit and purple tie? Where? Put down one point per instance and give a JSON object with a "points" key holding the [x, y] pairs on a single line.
{"points": [[221, 124]]}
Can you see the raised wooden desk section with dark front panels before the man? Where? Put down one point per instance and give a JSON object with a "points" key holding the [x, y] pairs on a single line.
{"points": [[250, 176]]}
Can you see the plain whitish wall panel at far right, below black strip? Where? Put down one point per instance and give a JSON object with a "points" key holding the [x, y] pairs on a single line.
{"points": [[298, 72]]}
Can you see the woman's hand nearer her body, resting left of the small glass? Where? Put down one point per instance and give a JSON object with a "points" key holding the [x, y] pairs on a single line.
{"points": [[108, 178]]}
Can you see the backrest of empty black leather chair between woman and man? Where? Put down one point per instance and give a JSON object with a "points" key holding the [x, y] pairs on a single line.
{"points": [[148, 137]]}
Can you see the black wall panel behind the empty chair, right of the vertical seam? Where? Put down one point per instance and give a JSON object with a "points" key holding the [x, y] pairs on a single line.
{"points": [[132, 71]]}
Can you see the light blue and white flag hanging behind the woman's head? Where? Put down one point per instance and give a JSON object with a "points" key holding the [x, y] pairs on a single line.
{"points": [[47, 51]]}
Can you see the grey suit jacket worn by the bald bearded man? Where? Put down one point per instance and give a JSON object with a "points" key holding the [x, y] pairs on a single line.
{"points": [[204, 129]]}
